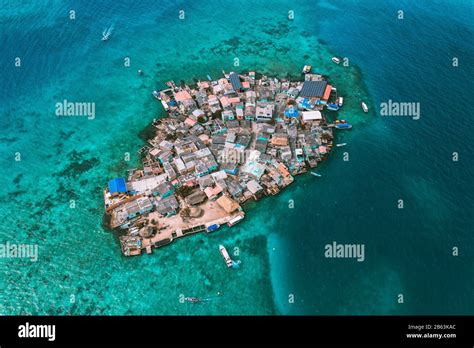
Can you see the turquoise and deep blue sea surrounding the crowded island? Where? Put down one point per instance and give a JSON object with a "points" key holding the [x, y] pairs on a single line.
{"points": [[50, 163]]}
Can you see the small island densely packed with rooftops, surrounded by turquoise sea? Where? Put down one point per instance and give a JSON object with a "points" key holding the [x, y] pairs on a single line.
{"points": [[222, 143]]}
